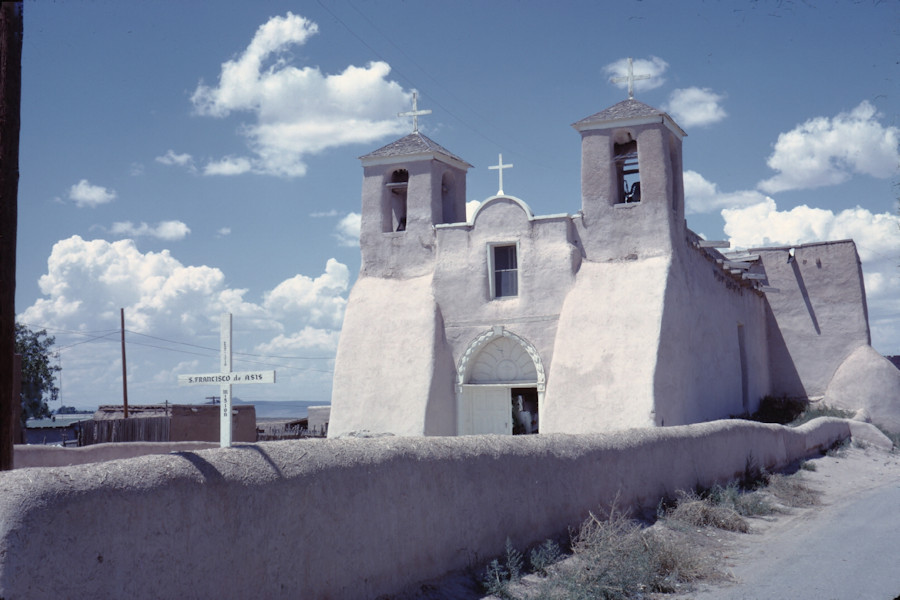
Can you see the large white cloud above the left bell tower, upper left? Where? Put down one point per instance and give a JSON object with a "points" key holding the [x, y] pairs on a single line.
{"points": [[297, 111]]}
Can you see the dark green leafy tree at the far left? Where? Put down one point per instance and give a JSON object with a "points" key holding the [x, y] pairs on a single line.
{"points": [[38, 375]]}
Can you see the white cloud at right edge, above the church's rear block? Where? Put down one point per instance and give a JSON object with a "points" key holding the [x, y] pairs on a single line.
{"points": [[827, 151]]}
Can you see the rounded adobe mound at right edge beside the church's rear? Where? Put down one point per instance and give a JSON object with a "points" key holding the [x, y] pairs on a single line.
{"points": [[866, 380]]}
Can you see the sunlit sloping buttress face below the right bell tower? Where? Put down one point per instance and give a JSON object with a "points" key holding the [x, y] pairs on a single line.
{"points": [[605, 354]]}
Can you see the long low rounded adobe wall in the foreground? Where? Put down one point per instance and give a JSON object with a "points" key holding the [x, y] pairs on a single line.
{"points": [[347, 518]]}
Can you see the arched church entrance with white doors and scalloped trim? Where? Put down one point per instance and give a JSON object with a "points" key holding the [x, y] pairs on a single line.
{"points": [[500, 385]]}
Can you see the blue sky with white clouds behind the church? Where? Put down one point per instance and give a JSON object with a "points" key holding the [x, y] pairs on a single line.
{"points": [[181, 160]]}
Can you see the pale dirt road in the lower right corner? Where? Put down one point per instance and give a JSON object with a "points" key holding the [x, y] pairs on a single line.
{"points": [[848, 547]]}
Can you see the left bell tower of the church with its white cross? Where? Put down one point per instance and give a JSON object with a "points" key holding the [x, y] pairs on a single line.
{"points": [[409, 186]]}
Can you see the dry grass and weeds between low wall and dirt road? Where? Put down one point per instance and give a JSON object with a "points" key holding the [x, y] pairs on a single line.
{"points": [[614, 557]]}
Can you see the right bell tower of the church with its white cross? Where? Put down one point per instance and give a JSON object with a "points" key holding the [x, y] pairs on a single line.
{"points": [[632, 188]]}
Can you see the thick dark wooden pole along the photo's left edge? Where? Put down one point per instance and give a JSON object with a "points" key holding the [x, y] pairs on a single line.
{"points": [[11, 29]]}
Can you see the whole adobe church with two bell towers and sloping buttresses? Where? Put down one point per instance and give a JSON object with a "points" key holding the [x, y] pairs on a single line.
{"points": [[613, 317]]}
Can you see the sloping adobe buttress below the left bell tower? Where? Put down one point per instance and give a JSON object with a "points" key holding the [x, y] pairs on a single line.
{"points": [[393, 349]]}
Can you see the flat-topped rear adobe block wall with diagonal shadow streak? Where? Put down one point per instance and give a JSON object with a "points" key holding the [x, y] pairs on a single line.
{"points": [[818, 316]]}
